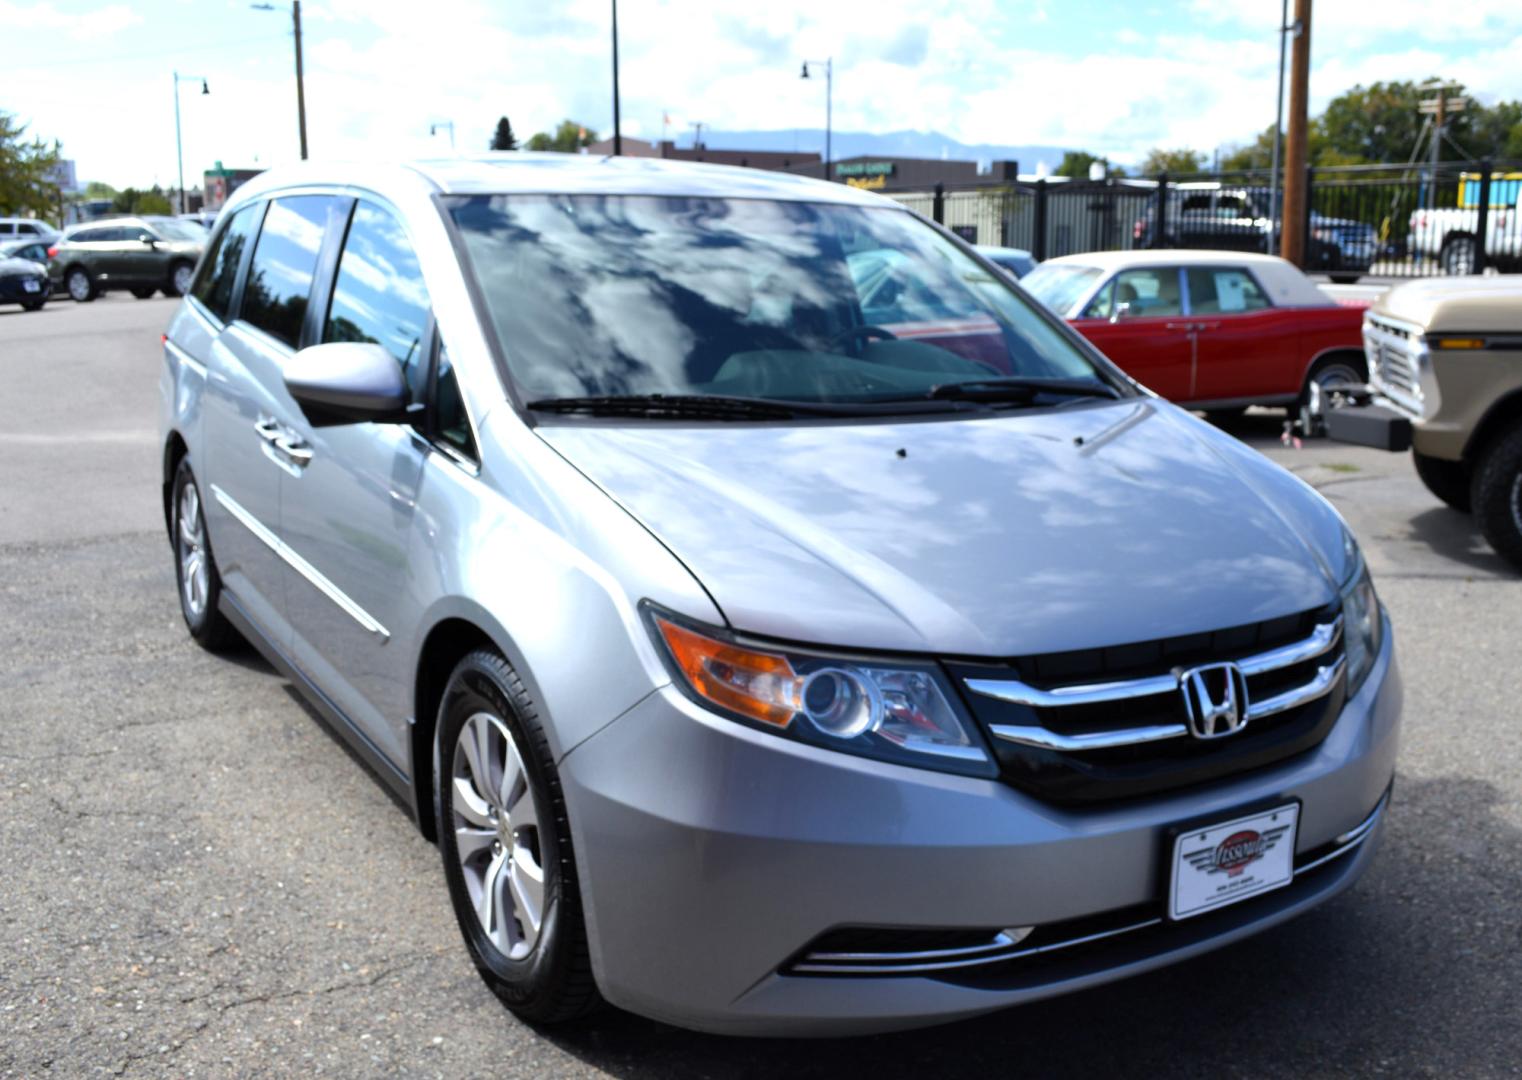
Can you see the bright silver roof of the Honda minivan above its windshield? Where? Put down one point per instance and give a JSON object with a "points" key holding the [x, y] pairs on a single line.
{"points": [[570, 174]]}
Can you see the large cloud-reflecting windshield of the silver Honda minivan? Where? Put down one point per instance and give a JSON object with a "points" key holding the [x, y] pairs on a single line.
{"points": [[747, 299]]}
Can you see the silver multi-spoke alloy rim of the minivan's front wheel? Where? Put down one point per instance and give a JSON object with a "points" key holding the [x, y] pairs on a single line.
{"points": [[497, 836]]}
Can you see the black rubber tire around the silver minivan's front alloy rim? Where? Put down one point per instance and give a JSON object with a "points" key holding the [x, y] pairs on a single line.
{"points": [[553, 982]]}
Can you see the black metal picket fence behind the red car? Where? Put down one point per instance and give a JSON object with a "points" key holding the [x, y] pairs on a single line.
{"points": [[1387, 221]]}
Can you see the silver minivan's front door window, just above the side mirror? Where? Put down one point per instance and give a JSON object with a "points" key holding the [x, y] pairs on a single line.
{"points": [[380, 294]]}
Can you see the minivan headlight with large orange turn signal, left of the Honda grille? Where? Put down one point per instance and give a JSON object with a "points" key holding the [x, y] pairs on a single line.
{"points": [[894, 711]]}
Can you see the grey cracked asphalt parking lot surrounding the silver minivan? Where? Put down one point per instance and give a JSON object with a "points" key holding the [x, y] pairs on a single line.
{"points": [[199, 880]]}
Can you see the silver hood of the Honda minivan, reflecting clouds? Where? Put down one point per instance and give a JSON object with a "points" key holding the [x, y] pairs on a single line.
{"points": [[1004, 536]]}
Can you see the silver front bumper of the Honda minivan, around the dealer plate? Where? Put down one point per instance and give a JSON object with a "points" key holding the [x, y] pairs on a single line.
{"points": [[710, 856]]}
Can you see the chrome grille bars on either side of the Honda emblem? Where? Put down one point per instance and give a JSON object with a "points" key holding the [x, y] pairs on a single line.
{"points": [[1320, 643]]}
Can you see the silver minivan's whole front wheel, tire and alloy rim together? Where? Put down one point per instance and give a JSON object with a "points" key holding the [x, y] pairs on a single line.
{"points": [[506, 847]]}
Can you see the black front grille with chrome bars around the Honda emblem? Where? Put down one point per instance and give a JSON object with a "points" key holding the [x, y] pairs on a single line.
{"points": [[1104, 725]]}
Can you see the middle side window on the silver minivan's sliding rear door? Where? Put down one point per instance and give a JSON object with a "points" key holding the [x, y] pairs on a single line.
{"points": [[285, 261]]}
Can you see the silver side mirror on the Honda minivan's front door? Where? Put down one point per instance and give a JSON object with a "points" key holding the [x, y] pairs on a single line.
{"points": [[348, 383]]}
